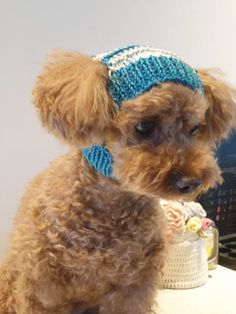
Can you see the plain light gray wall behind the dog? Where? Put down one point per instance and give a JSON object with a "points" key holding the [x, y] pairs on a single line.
{"points": [[202, 32]]}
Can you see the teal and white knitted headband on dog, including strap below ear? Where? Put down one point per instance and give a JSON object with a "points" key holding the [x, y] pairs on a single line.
{"points": [[133, 70]]}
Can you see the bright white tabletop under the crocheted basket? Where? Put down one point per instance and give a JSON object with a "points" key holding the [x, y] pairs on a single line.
{"points": [[217, 296]]}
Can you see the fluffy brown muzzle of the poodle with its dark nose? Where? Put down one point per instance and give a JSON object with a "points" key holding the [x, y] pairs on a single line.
{"points": [[168, 174]]}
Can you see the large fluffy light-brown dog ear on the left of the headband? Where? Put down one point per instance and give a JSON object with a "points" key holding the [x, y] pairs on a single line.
{"points": [[71, 98]]}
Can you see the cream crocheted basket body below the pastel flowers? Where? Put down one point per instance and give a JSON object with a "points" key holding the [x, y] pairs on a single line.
{"points": [[186, 265]]}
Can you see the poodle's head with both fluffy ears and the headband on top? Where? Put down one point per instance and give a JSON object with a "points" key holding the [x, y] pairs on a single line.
{"points": [[161, 136]]}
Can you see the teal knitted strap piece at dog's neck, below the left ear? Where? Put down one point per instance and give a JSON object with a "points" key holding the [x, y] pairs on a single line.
{"points": [[99, 158]]}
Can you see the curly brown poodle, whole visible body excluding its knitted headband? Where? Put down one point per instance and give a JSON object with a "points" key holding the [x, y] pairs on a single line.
{"points": [[90, 241]]}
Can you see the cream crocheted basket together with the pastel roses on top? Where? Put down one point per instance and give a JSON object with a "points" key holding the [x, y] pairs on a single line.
{"points": [[186, 263]]}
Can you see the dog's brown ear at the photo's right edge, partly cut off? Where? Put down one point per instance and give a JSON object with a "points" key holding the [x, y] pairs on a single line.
{"points": [[221, 114]]}
